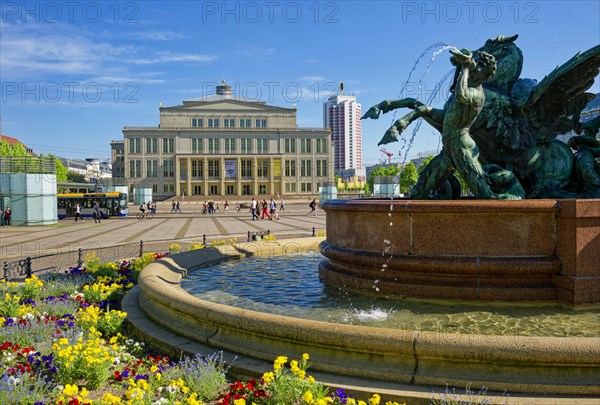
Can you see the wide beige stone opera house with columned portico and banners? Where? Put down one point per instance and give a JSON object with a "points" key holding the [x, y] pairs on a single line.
{"points": [[223, 145]]}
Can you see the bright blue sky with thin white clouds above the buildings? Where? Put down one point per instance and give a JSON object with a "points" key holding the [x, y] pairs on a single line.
{"points": [[73, 74]]}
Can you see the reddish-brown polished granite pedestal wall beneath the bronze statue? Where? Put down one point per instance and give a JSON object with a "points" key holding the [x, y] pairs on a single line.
{"points": [[479, 250]]}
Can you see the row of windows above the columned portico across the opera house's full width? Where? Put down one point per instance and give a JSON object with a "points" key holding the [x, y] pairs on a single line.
{"points": [[229, 145]]}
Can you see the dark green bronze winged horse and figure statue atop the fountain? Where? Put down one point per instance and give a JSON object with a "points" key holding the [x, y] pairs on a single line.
{"points": [[498, 130]]}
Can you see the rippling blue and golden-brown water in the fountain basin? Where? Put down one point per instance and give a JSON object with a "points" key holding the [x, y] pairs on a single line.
{"points": [[290, 286]]}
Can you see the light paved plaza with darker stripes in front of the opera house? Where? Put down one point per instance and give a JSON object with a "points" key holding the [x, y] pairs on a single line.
{"points": [[55, 247]]}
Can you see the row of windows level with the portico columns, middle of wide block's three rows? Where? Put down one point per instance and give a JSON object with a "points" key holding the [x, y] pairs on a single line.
{"points": [[214, 168]]}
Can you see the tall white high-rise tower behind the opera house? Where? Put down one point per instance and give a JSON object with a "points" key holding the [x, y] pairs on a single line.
{"points": [[342, 115]]}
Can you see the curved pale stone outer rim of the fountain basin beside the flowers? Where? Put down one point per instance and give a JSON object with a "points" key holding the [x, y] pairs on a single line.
{"points": [[547, 365]]}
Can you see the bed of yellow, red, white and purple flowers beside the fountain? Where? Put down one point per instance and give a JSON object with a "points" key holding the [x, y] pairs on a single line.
{"points": [[63, 341]]}
